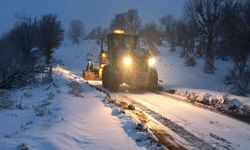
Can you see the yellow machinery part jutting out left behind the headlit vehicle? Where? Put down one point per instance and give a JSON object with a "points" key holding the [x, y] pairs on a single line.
{"points": [[95, 73]]}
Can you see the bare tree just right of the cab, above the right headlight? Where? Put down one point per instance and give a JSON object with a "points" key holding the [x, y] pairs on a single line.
{"points": [[151, 37]]}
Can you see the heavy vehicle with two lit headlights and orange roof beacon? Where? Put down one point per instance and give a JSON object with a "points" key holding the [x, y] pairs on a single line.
{"points": [[128, 63]]}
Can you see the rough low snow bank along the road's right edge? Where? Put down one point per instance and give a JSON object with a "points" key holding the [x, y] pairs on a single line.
{"points": [[223, 102]]}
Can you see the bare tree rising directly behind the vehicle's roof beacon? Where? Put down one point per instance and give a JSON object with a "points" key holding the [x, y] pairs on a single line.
{"points": [[128, 21]]}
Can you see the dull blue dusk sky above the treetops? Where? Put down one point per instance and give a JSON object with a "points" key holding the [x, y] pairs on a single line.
{"points": [[91, 12]]}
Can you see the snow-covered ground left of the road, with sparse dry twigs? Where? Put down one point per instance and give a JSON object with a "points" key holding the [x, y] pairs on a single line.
{"points": [[54, 117]]}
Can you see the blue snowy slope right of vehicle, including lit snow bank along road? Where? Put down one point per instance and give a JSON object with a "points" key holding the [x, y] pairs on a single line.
{"points": [[192, 82]]}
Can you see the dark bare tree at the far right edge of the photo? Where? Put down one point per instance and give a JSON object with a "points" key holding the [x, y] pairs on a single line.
{"points": [[235, 36]]}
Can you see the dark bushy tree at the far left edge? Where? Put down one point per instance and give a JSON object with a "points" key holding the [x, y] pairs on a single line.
{"points": [[16, 47]]}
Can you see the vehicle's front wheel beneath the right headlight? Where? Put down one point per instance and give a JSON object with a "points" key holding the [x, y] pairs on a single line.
{"points": [[153, 80]]}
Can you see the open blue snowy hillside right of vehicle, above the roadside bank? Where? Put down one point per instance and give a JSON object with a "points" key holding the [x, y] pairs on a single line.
{"points": [[175, 74]]}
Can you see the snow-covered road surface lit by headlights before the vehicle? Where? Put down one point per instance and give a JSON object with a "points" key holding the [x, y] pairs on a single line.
{"points": [[218, 130]]}
